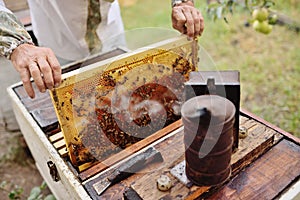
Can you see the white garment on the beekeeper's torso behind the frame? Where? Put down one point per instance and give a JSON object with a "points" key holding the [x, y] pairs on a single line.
{"points": [[61, 25]]}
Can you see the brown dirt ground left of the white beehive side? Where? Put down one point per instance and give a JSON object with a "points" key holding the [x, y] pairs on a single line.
{"points": [[17, 168]]}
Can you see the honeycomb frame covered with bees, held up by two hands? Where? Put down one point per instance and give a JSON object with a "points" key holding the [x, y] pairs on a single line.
{"points": [[163, 66]]}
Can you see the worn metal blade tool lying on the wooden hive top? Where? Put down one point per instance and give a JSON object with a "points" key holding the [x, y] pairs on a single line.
{"points": [[133, 165]]}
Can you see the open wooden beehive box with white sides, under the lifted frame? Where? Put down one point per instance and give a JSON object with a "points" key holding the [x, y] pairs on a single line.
{"points": [[260, 167]]}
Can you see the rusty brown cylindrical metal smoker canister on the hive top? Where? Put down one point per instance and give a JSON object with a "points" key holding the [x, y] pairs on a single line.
{"points": [[208, 138]]}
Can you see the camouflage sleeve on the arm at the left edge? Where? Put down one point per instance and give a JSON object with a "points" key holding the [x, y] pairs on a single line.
{"points": [[12, 34]]}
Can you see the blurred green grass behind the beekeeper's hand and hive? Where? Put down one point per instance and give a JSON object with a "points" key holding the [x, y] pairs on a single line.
{"points": [[269, 65]]}
